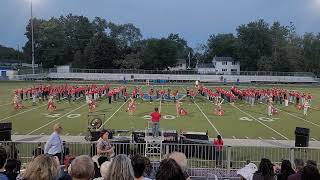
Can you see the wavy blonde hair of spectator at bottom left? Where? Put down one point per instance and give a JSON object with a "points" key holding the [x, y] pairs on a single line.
{"points": [[43, 167]]}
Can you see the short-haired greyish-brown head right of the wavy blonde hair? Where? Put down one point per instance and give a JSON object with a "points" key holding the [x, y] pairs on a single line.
{"points": [[82, 168]]}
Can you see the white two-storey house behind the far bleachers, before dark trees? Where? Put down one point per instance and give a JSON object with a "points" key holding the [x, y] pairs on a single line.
{"points": [[220, 65]]}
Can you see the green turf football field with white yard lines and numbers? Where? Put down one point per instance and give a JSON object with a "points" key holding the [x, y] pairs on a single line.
{"points": [[241, 121]]}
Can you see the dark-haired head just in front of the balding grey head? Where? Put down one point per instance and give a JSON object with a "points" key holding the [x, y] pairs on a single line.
{"points": [[169, 170]]}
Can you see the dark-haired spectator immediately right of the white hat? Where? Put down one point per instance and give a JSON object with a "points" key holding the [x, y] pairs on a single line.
{"points": [[265, 171]]}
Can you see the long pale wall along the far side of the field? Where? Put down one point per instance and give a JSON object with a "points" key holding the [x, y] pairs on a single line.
{"points": [[183, 77]]}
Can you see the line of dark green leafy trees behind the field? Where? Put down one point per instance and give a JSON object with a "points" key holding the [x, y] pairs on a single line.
{"points": [[98, 43]]}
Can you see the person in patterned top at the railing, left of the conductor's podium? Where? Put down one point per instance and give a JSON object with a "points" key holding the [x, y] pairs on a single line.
{"points": [[104, 147]]}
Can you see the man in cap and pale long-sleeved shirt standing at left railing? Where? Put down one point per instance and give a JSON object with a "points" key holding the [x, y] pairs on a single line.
{"points": [[54, 144]]}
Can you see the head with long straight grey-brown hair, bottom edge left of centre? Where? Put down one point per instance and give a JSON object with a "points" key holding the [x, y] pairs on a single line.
{"points": [[120, 168]]}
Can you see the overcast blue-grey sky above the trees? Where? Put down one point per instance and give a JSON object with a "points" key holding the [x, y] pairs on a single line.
{"points": [[194, 20]]}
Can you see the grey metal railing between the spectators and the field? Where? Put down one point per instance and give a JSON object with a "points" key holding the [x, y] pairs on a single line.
{"points": [[202, 158]]}
